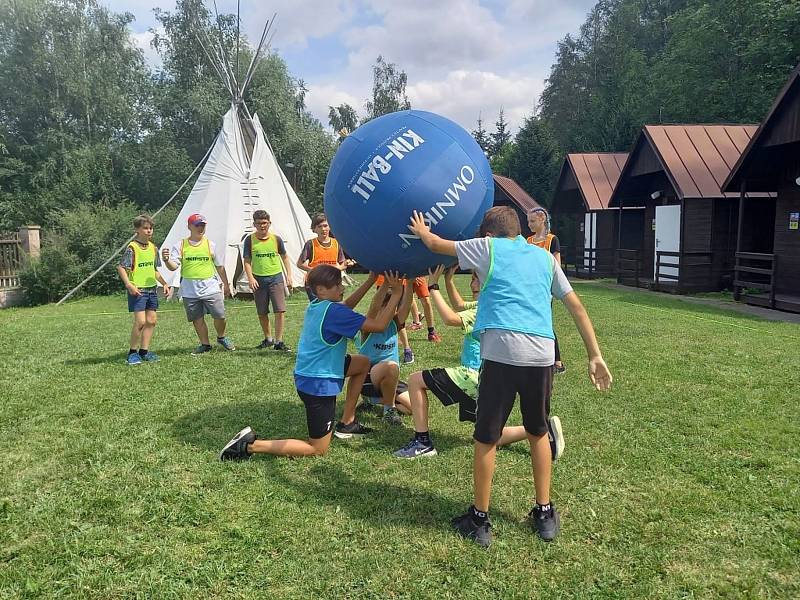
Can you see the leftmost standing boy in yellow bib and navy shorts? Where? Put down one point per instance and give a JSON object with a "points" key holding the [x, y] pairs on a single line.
{"points": [[137, 269]]}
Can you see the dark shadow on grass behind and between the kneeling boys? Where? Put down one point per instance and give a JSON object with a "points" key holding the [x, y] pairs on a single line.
{"points": [[210, 428]]}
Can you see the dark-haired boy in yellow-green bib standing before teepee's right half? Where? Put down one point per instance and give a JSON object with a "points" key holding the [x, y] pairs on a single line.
{"points": [[265, 261]]}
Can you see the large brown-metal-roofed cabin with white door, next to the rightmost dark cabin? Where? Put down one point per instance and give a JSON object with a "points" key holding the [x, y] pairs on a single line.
{"points": [[674, 175]]}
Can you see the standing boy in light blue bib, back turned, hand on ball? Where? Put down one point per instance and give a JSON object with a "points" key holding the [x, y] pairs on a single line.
{"points": [[514, 322]]}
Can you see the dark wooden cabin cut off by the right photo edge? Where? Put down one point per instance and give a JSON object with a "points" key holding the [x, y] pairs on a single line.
{"points": [[768, 253]]}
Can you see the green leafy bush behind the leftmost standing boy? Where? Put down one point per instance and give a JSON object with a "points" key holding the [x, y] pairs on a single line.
{"points": [[79, 241]]}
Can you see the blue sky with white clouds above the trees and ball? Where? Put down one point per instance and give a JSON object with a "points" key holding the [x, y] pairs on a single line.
{"points": [[463, 58]]}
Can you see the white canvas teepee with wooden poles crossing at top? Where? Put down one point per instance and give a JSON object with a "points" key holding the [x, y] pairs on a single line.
{"points": [[240, 176]]}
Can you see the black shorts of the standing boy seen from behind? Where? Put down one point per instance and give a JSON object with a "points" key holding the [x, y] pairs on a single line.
{"points": [[497, 391]]}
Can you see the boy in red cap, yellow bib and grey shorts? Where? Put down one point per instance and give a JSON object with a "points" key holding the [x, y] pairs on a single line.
{"points": [[203, 281]]}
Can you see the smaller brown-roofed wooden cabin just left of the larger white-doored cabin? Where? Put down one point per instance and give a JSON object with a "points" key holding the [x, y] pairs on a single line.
{"points": [[586, 227]]}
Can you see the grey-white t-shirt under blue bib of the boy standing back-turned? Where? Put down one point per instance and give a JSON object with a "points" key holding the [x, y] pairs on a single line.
{"points": [[502, 345]]}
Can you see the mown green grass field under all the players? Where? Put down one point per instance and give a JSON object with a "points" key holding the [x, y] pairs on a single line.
{"points": [[684, 481]]}
